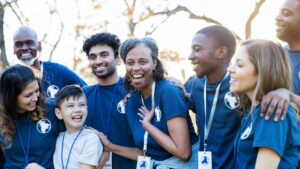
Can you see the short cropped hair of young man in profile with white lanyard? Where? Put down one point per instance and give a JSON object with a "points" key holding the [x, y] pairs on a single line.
{"points": [[222, 36]]}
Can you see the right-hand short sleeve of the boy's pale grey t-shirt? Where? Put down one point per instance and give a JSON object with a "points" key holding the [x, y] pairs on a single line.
{"points": [[91, 151]]}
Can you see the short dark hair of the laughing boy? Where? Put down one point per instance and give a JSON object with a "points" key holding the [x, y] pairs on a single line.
{"points": [[67, 92]]}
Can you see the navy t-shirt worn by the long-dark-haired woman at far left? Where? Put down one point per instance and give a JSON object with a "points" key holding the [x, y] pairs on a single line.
{"points": [[42, 142]]}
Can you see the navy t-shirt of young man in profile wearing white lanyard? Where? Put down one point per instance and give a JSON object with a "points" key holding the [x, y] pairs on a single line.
{"points": [[225, 123]]}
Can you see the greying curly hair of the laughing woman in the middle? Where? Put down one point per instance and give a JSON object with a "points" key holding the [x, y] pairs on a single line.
{"points": [[131, 43]]}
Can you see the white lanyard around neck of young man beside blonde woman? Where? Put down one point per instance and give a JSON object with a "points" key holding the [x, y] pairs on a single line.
{"points": [[207, 126]]}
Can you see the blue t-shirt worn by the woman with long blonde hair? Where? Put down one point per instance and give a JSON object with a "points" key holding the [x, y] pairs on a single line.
{"points": [[283, 137]]}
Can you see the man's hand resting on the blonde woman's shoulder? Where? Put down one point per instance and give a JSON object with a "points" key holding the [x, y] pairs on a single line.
{"points": [[275, 100]]}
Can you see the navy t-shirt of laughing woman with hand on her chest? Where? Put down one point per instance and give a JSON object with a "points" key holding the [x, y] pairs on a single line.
{"points": [[169, 103]]}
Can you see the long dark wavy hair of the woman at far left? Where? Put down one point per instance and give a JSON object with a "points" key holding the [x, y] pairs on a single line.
{"points": [[12, 82]]}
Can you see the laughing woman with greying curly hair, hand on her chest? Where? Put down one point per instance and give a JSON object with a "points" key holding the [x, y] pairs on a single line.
{"points": [[171, 134]]}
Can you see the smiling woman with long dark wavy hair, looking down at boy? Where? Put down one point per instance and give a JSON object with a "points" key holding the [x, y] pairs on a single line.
{"points": [[26, 124]]}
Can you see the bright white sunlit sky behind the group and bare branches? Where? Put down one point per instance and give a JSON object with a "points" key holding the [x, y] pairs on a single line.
{"points": [[69, 22]]}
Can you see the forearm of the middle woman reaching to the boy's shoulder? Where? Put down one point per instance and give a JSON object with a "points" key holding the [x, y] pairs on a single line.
{"points": [[127, 152]]}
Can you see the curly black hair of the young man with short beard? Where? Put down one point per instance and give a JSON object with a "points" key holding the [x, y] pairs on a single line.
{"points": [[103, 38]]}
